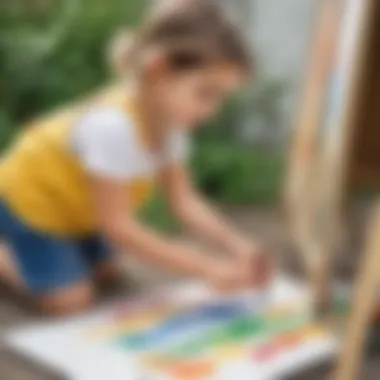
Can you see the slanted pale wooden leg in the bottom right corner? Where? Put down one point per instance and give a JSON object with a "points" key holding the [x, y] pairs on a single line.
{"points": [[363, 305]]}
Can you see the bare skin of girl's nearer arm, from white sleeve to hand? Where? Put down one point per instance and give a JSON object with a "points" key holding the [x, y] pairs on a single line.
{"points": [[128, 234]]}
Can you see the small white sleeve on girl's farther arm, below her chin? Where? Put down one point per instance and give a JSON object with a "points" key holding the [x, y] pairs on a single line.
{"points": [[178, 147]]}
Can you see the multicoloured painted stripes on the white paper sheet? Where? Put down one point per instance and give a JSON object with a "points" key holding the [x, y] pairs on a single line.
{"points": [[192, 343]]}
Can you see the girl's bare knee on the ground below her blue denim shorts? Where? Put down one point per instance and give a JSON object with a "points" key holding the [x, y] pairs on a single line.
{"points": [[72, 300]]}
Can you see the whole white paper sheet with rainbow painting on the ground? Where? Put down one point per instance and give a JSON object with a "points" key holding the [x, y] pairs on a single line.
{"points": [[191, 334]]}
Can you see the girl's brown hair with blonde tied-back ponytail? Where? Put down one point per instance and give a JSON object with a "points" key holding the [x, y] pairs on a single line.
{"points": [[191, 32]]}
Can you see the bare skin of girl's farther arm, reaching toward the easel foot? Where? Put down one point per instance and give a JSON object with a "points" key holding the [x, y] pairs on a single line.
{"points": [[188, 205]]}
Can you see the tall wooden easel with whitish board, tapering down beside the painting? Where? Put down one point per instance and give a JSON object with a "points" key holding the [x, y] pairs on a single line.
{"points": [[317, 179]]}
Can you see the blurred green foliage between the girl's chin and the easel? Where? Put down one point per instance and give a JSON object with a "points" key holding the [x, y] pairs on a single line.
{"points": [[237, 175]]}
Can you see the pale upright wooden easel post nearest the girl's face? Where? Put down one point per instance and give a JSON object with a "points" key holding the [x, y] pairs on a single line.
{"points": [[302, 182]]}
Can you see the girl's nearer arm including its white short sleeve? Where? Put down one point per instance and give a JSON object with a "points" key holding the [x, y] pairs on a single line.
{"points": [[105, 144]]}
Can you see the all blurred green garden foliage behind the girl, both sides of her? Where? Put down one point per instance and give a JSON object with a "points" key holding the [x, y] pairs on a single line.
{"points": [[53, 51]]}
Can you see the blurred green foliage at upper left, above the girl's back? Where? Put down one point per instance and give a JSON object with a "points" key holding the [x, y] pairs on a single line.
{"points": [[51, 52]]}
